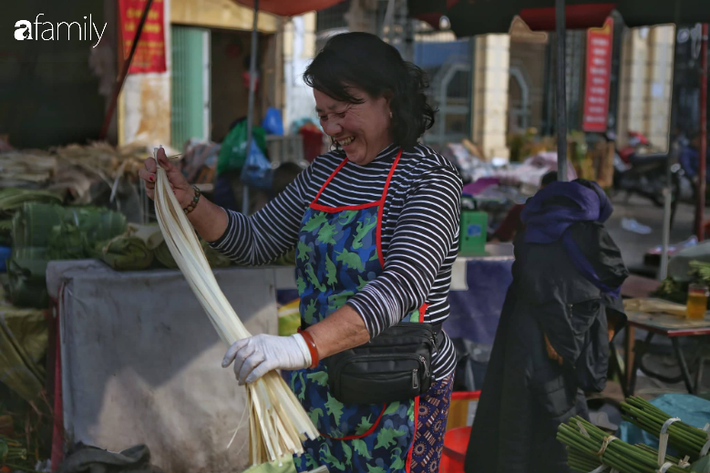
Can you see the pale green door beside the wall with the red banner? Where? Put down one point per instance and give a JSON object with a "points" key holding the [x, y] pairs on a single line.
{"points": [[190, 110]]}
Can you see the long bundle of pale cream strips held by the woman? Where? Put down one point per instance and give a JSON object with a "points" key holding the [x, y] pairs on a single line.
{"points": [[278, 424]]}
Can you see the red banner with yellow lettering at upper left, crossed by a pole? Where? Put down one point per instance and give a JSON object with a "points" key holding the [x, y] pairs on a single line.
{"points": [[150, 54]]}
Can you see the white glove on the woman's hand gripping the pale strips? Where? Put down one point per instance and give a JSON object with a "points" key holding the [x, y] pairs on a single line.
{"points": [[255, 356]]}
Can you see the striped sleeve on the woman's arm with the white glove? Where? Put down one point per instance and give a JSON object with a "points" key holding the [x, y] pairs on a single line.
{"points": [[426, 229]]}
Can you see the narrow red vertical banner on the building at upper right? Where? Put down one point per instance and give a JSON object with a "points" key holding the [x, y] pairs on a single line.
{"points": [[596, 97]]}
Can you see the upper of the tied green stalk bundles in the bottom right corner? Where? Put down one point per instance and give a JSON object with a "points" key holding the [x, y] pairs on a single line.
{"points": [[688, 440]]}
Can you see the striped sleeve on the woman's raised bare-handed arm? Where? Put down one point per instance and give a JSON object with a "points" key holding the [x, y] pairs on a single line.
{"points": [[270, 232]]}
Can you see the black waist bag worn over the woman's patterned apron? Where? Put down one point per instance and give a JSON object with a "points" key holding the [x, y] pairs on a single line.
{"points": [[394, 366]]}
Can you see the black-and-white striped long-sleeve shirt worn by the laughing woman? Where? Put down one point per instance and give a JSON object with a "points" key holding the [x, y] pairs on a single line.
{"points": [[420, 232]]}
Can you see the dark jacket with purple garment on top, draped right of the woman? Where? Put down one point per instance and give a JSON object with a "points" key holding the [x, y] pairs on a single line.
{"points": [[566, 276]]}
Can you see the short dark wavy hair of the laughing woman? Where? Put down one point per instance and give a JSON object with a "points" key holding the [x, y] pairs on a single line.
{"points": [[364, 61]]}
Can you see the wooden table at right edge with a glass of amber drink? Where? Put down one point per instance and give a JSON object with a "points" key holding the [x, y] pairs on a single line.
{"points": [[674, 328]]}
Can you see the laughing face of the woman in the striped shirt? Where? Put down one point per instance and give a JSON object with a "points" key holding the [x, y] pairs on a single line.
{"points": [[362, 130]]}
